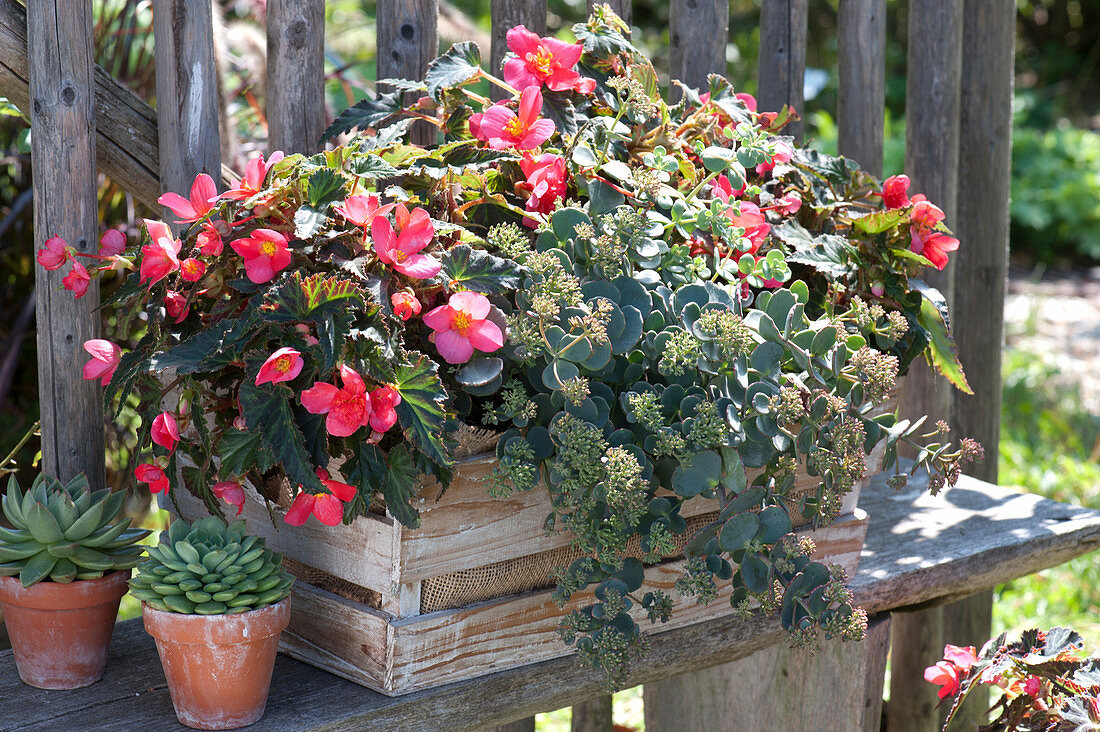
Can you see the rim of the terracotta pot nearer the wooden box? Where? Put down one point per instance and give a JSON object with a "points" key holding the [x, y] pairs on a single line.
{"points": [[217, 630]]}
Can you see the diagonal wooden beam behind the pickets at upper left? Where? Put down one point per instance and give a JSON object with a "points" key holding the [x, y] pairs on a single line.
{"points": [[127, 148]]}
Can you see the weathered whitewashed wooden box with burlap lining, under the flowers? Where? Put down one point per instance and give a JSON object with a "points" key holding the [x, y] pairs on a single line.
{"points": [[468, 594]]}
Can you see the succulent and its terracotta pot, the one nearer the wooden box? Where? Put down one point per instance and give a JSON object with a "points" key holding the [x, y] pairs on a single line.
{"points": [[216, 602]]}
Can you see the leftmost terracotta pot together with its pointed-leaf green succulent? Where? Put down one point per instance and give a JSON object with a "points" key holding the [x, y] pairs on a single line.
{"points": [[64, 566]]}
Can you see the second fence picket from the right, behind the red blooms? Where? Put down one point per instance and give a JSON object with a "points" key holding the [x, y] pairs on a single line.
{"points": [[932, 147]]}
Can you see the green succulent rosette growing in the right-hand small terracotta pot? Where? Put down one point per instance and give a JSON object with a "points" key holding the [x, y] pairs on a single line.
{"points": [[211, 570]]}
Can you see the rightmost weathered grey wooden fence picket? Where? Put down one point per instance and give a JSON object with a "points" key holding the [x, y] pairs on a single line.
{"points": [[985, 173]]}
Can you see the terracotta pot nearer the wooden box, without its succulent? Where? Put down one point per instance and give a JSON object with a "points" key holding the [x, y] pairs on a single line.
{"points": [[218, 668]]}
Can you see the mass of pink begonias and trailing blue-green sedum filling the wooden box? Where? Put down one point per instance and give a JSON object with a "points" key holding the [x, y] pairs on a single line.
{"points": [[652, 303]]}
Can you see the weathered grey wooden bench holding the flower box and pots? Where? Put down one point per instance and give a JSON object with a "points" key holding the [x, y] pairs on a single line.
{"points": [[920, 552]]}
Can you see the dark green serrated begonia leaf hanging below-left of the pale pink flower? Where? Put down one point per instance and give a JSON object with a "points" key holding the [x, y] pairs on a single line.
{"points": [[421, 412]]}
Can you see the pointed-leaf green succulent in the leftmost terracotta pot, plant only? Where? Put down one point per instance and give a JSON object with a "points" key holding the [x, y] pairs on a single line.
{"points": [[65, 532]]}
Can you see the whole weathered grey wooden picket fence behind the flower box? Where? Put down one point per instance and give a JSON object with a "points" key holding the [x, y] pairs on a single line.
{"points": [[959, 115]]}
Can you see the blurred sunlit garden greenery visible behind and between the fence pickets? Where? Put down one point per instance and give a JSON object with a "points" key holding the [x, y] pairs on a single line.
{"points": [[1051, 420]]}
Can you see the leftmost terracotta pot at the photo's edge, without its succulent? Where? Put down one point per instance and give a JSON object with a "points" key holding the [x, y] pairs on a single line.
{"points": [[60, 633]]}
